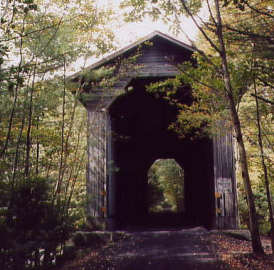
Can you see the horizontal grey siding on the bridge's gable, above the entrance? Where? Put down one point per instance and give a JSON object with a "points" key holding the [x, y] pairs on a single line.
{"points": [[157, 60]]}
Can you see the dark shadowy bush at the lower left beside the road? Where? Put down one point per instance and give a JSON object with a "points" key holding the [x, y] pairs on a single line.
{"points": [[31, 226]]}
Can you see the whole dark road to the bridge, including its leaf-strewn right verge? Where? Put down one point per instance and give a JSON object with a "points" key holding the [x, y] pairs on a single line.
{"points": [[186, 249]]}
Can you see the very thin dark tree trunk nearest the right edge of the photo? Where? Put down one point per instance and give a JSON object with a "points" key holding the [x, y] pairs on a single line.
{"points": [[268, 193]]}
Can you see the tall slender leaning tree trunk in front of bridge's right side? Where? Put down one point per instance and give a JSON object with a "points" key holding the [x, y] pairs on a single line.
{"points": [[254, 229]]}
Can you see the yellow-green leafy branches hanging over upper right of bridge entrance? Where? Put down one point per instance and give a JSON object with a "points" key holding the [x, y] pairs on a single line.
{"points": [[194, 120]]}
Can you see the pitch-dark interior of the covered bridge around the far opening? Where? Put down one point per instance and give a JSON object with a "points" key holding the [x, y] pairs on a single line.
{"points": [[140, 136]]}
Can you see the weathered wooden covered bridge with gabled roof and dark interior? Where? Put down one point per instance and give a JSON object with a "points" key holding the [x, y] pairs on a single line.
{"points": [[128, 131]]}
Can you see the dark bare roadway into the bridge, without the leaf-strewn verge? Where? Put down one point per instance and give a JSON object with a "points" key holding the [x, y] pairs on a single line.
{"points": [[162, 250]]}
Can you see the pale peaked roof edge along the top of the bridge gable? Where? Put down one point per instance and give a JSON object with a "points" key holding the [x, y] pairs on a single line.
{"points": [[134, 45]]}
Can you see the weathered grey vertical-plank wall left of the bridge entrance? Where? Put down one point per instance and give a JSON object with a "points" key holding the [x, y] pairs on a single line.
{"points": [[100, 182]]}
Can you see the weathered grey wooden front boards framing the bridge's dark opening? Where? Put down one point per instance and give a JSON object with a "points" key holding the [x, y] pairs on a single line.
{"points": [[157, 60]]}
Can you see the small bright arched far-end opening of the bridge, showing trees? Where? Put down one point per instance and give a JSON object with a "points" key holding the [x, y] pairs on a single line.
{"points": [[165, 194]]}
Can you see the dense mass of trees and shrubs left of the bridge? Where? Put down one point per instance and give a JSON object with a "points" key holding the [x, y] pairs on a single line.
{"points": [[42, 125]]}
